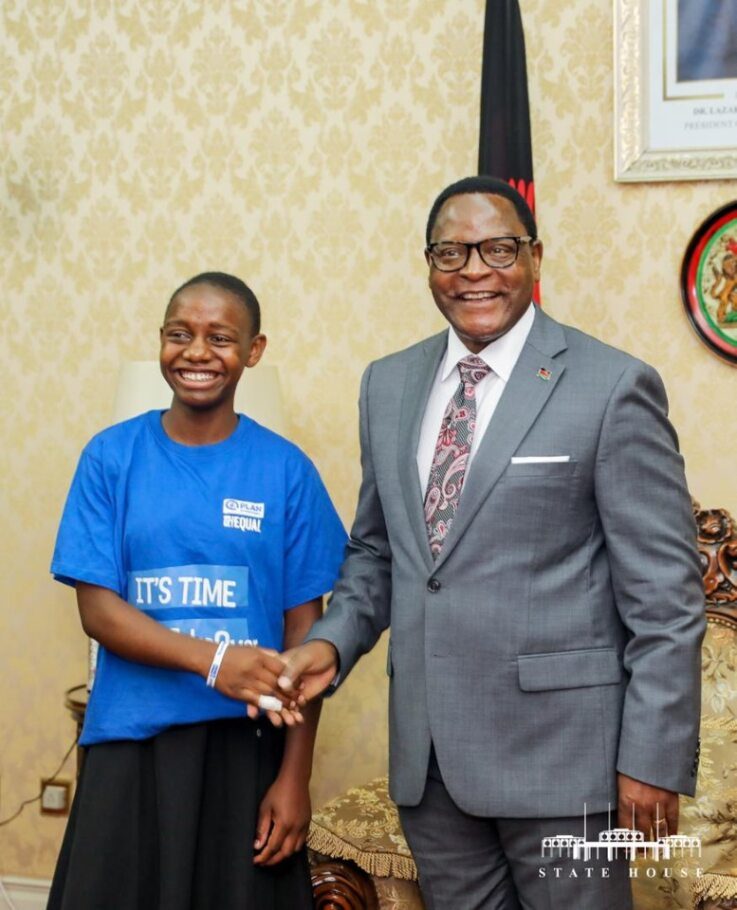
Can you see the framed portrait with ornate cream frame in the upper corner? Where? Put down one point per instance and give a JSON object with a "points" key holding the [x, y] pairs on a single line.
{"points": [[675, 89]]}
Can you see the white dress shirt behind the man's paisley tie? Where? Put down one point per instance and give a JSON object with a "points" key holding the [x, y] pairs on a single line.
{"points": [[501, 355]]}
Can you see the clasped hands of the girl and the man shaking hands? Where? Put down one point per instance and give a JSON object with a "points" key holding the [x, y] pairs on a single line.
{"points": [[279, 684]]}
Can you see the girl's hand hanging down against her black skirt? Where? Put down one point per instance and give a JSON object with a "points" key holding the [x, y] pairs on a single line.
{"points": [[283, 821]]}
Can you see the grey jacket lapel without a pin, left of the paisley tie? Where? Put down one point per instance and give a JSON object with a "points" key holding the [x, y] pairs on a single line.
{"points": [[418, 382]]}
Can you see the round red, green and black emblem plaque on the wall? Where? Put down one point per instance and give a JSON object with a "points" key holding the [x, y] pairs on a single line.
{"points": [[709, 282]]}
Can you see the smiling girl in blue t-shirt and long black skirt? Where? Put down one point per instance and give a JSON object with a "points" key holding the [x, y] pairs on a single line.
{"points": [[200, 545]]}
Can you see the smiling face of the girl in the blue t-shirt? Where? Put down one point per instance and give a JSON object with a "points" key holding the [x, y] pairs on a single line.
{"points": [[206, 342]]}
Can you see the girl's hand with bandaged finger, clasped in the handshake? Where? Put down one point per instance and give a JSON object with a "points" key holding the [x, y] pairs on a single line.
{"points": [[247, 672]]}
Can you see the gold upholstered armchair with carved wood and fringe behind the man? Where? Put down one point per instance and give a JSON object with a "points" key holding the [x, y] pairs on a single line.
{"points": [[360, 859]]}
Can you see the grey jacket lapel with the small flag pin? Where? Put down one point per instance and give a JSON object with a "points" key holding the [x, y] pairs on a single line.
{"points": [[531, 384]]}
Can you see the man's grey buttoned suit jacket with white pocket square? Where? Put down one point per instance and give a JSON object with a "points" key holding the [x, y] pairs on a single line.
{"points": [[556, 639]]}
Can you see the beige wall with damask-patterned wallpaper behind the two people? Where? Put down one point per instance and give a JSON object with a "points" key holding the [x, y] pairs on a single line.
{"points": [[299, 144]]}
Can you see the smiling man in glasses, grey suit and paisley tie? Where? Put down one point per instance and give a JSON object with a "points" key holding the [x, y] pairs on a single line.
{"points": [[546, 624]]}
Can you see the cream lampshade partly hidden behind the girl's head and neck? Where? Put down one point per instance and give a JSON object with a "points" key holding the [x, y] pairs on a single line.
{"points": [[141, 387]]}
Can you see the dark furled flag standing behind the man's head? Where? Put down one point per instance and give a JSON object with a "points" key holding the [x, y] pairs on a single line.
{"points": [[505, 146]]}
